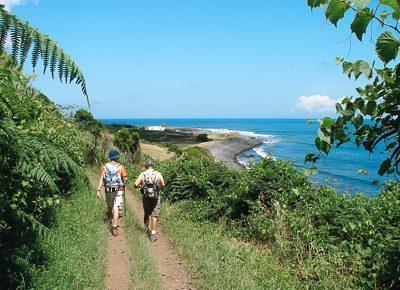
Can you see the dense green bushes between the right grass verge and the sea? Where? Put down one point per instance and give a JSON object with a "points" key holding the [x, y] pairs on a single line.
{"points": [[272, 203]]}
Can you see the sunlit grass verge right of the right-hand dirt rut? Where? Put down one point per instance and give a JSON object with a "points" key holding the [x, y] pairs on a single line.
{"points": [[218, 262]]}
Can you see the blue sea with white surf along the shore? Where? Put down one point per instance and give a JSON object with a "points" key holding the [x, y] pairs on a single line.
{"points": [[290, 139]]}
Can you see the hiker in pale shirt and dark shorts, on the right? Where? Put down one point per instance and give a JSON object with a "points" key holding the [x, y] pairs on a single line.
{"points": [[151, 182]]}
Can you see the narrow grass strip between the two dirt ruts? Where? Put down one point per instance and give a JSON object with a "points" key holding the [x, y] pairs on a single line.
{"points": [[143, 270]]}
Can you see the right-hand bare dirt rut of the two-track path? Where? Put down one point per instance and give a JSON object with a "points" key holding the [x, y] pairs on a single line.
{"points": [[170, 267]]}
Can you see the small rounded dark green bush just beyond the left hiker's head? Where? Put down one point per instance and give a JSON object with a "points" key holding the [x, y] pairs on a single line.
{"points": [[129, 143]]}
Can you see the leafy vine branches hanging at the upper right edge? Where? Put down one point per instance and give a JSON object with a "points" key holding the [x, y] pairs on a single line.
{"points": [[372, 119]]}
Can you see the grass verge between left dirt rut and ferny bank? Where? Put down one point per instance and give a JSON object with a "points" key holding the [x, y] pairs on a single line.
{"points": [[76, 248]]}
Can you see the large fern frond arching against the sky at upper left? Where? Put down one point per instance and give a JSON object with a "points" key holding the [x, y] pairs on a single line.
{"points": [[22, 38]]}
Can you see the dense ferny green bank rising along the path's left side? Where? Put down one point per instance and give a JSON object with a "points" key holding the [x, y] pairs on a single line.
{"points": [[41, 154]]}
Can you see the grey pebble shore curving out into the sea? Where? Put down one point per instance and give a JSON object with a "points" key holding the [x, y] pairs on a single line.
{"points": [[225, 147]]}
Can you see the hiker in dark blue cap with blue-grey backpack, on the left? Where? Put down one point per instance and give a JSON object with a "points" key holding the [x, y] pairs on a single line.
{"points": [[113, 176]]}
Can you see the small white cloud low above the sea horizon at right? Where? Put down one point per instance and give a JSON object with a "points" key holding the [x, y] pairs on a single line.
{"points": [[317, 104]]}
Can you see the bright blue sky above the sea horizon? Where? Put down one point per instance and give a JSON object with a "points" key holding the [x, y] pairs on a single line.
{"points": [[197, 58]]}
